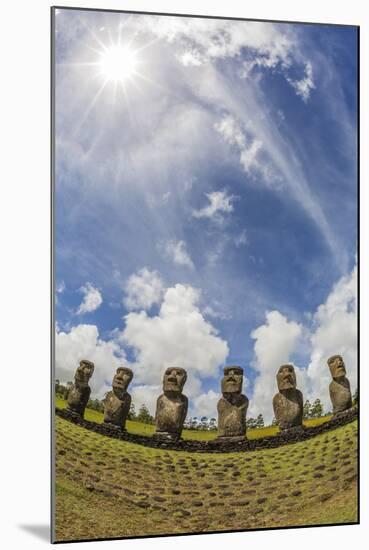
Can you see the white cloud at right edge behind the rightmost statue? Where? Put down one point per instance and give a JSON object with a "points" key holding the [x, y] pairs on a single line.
{"points": [[334, 332]]}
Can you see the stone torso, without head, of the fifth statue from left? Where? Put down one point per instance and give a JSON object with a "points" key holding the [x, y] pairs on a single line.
{"points": [[288, 408]]}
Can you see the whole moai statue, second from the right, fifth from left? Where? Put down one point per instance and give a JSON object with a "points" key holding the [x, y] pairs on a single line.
{"points": [[288, 403]]}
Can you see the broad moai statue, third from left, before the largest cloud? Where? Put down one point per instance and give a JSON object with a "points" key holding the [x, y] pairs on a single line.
{"points": [[171, 407]]}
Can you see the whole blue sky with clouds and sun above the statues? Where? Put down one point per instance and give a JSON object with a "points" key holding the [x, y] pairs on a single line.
{"points": [[206, 200]]}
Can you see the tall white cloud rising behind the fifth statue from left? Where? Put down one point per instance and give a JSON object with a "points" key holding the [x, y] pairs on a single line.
{"points": [[275, 341]]}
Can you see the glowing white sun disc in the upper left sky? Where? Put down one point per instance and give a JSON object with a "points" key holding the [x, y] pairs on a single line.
{"points": [[118, 64]]}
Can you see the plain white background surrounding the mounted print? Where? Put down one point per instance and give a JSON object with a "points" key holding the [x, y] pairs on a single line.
{"points": [[25, 268]]}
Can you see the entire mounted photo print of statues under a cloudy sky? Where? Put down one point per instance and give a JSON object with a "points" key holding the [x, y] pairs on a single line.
{"points": [[205, 236]]}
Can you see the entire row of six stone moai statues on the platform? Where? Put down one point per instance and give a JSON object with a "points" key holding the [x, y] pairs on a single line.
{"points": [[172, 405]]}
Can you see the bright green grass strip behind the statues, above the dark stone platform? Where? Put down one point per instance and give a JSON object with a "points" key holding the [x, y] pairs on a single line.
{"points": [[147, 429]]}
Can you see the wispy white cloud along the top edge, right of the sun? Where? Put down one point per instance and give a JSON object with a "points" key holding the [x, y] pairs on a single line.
{"points": [[269, 47]]}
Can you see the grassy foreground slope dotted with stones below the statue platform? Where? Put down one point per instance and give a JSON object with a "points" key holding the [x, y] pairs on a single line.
{"points": [[111, 488]]}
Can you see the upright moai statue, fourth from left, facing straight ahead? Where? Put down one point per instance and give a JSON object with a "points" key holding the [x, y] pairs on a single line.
{"points": [[232, 406]]}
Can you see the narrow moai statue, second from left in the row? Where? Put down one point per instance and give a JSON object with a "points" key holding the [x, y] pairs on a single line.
{"points": [[118, 401]]}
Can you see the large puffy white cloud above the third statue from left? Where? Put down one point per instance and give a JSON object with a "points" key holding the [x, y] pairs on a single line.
{"points": [[178, 336]]}
